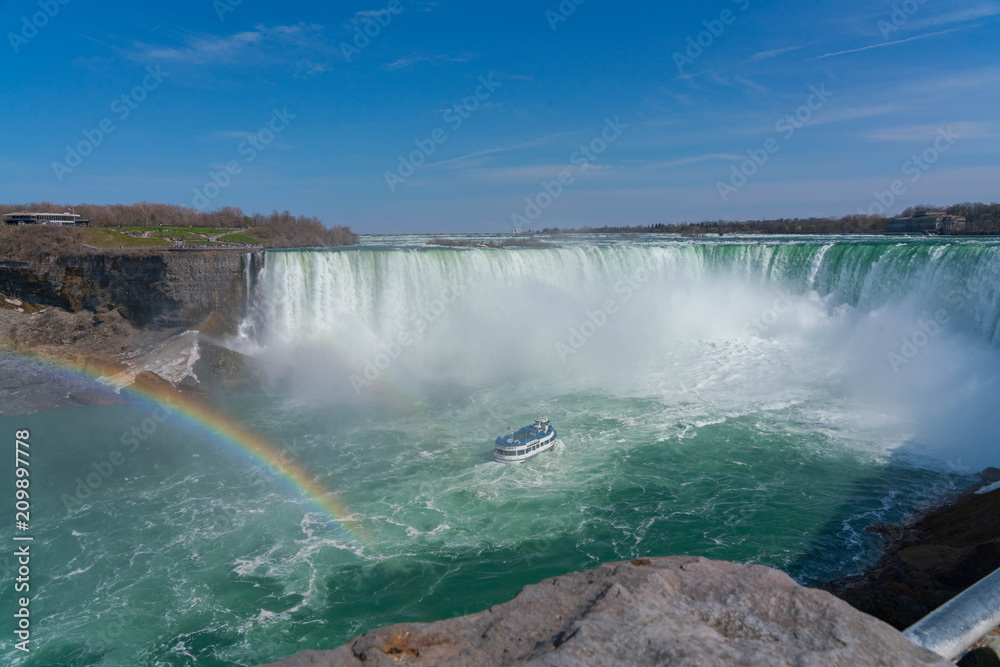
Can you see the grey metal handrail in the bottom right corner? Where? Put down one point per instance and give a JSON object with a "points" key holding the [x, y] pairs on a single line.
{"points": [[951, 629]]}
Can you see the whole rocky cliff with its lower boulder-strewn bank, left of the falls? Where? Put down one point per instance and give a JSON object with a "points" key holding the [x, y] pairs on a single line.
{"points": [[135, 312]]}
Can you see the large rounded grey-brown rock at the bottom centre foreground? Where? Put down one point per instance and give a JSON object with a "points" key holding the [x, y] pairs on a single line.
{"points": [[660, 611]]}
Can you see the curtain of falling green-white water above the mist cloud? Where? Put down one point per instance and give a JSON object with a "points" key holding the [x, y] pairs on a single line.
{"points": [[309, 294]]}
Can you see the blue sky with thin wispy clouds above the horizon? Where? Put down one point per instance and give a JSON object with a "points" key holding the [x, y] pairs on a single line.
{"points": [[666, 122]]}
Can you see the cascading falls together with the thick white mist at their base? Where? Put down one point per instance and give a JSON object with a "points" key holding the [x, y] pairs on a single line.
{"points": [[594, 313]]}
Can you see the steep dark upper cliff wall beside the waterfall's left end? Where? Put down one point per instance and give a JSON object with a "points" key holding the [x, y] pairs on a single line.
{"points": [[160, 290]]}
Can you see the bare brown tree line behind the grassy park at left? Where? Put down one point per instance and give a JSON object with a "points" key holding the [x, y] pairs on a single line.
{"points": [[276, 230]]}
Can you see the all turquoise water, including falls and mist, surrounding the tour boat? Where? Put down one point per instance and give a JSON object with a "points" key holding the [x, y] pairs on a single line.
{"points": [[691, 421]]}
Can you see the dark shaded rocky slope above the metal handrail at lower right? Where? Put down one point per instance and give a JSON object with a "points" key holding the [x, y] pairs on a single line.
{"points": [[934, 557]]}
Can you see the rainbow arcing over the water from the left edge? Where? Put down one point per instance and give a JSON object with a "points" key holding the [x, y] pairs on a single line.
{"points": [[200, 417]]}
